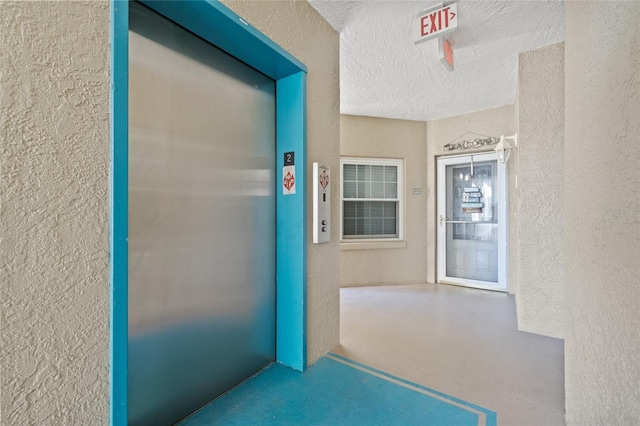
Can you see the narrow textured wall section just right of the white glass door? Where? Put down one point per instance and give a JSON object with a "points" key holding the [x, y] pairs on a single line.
{"points": [[539, 157]]}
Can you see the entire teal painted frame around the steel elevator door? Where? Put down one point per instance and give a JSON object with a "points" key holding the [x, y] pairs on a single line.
{"points": [[221, 27]]}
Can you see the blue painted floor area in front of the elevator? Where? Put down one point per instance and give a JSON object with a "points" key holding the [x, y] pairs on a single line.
{"points": [[337, 391]]}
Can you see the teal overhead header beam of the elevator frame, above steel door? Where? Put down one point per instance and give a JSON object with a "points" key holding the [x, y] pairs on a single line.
{"points": [[220, 26]]}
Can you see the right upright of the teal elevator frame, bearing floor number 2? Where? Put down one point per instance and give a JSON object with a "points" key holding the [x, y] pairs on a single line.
{"points": [[291, 212]]}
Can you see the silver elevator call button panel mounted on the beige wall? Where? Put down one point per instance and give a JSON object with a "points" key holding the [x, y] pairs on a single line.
{"points": [[321, 204]]}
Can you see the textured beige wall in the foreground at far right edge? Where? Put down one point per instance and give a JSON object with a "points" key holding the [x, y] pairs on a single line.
{"points": [[602, 214]]}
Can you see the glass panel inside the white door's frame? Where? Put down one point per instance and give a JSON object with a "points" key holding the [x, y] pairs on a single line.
{"points": [[472, 221]]}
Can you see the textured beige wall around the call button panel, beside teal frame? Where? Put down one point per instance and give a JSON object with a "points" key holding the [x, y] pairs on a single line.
{"points": [[300, 30]]}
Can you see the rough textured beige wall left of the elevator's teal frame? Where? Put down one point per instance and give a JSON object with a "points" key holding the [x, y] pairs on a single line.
{"points": [[54, 214]]}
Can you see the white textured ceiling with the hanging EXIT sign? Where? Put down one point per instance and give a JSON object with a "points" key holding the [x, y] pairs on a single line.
{"points": [[384, 74]]}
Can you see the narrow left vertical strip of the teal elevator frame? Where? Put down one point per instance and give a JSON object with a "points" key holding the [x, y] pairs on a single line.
{"points": [[119, 205]]}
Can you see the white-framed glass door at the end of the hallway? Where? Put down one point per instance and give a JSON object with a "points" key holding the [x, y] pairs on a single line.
{"points": [[472, 221]]}
